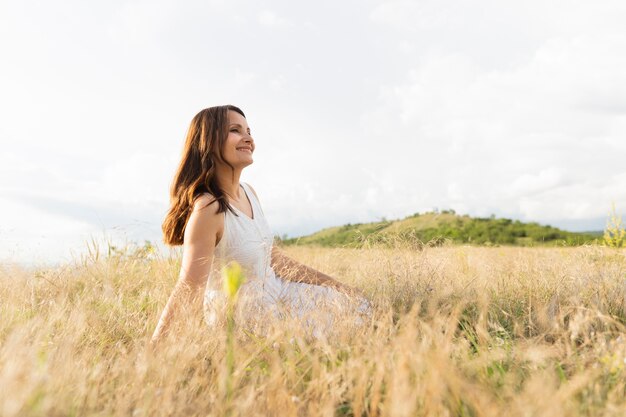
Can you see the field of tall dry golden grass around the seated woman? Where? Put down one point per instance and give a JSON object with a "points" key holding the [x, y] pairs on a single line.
{"points": [[456, 331]]}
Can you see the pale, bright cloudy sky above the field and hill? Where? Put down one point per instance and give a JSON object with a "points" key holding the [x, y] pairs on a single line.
{"points": [[359, 110]]}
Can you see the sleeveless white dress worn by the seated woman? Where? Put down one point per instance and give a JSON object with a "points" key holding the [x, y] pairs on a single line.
{"points": [[265, 296]]}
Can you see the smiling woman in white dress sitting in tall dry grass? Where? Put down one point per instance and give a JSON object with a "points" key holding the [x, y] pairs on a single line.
{"points": [[216, 220]]}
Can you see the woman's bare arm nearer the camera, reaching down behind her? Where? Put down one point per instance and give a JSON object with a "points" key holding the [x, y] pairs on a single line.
{"points": [[199, 243]]}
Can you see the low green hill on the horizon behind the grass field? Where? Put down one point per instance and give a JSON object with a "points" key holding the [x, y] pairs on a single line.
{"points": [[435, 228]]}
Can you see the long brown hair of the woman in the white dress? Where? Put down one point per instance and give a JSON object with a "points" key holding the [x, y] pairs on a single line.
{"points": [[196, 173]]}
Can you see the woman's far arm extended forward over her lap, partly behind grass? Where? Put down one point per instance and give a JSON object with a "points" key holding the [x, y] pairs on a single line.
{"points": [[292, 270]]}
